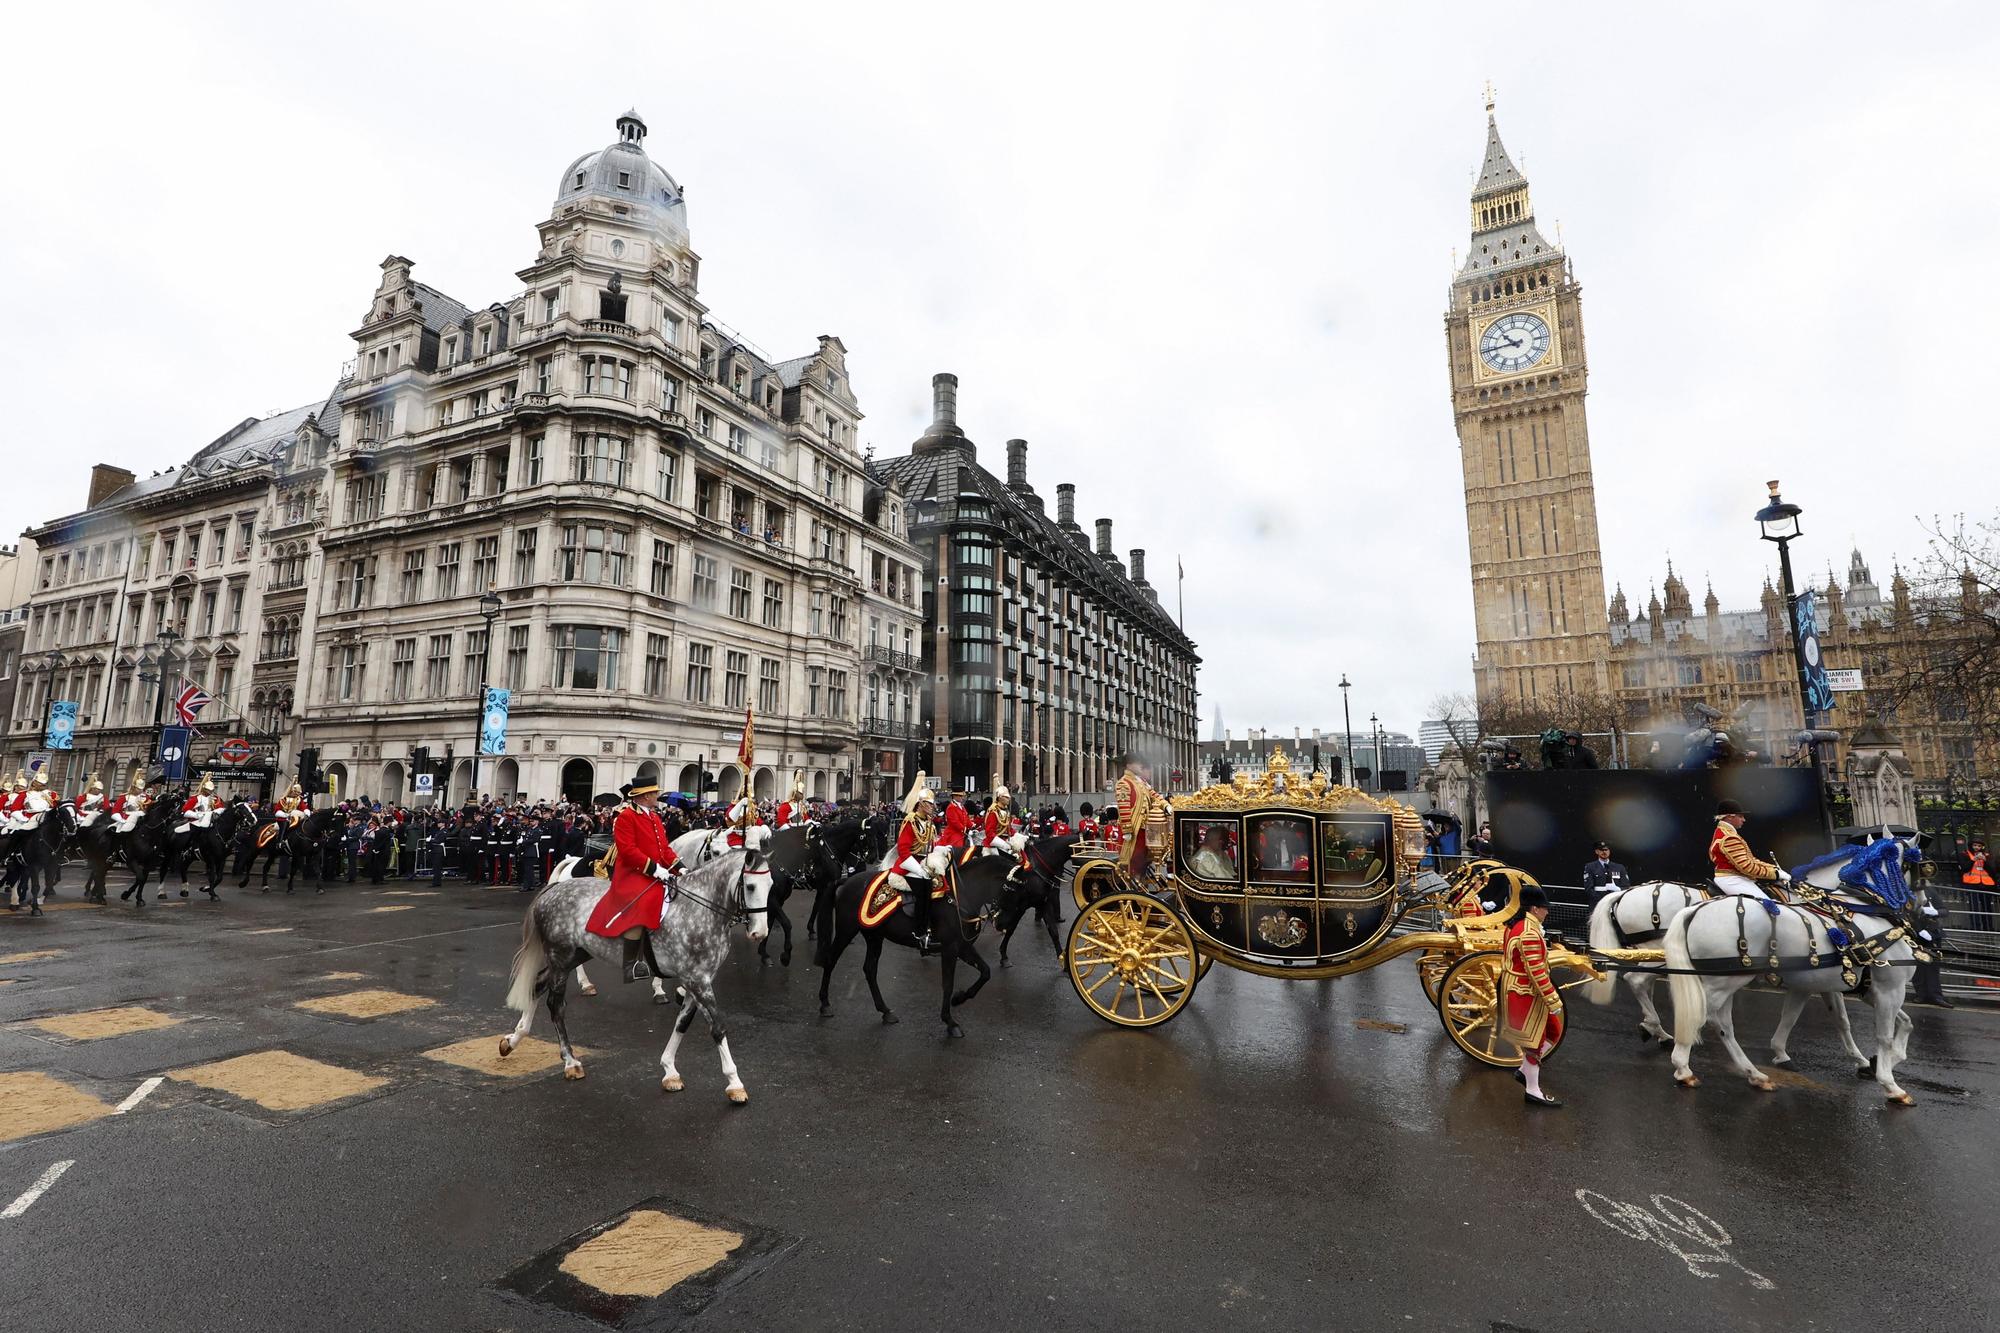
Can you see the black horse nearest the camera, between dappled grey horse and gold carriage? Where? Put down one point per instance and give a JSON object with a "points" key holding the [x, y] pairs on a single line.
{"points": [[955, 920]]}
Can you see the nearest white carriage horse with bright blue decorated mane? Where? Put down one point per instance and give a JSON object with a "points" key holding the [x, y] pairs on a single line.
{"points": [[1719, 948]]}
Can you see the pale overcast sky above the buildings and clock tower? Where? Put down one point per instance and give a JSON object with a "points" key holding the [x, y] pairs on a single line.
{"points": [[1195, 253]]}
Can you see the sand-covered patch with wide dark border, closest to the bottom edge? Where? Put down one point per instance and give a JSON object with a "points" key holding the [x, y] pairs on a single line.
{"points": [[649, 1268]]}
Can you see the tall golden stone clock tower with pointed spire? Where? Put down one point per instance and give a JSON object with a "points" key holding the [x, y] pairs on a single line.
{"points": [[1515, 341]]}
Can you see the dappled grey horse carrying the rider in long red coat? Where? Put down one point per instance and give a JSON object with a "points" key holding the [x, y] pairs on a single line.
{"points": [[689, 946]]}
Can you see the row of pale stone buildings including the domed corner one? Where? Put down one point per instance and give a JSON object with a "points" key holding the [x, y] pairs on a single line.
{"points": [[591, 493]]}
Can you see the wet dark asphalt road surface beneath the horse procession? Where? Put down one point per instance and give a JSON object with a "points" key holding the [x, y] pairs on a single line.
{"points": [[1271, 1160]]}
